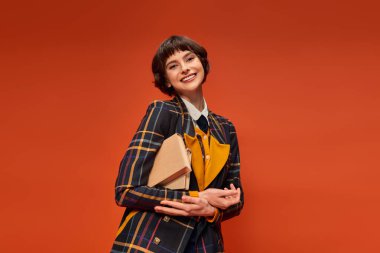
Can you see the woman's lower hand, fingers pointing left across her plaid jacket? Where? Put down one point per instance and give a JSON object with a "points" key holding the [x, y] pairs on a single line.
{"points": [[190, 206]]}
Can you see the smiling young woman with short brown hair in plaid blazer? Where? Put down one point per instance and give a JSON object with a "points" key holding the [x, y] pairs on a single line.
{"points": [[163, 220]]}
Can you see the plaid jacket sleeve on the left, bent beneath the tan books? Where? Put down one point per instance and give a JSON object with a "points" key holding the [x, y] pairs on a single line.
{"points": [[131, 188]]}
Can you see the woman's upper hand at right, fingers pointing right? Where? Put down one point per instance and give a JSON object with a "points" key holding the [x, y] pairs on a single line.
{"points": [[221, 198]]}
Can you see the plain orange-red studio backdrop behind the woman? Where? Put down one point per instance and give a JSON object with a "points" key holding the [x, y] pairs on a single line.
{"points": [[299, 79]]}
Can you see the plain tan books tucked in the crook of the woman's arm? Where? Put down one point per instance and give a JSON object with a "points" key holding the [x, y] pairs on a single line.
{"points": [[172, 165]]}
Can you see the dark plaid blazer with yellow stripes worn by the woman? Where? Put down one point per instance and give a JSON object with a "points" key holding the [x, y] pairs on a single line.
{"points": [[141, 228]]}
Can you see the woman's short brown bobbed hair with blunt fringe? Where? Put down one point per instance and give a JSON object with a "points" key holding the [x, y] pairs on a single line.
{"points": [[168, 48]]}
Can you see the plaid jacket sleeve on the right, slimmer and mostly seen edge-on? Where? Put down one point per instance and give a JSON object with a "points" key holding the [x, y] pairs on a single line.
{"points": [[233, 176]]}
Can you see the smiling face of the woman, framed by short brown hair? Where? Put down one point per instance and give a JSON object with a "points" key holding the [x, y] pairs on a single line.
{"points": [[185, 73]]}
